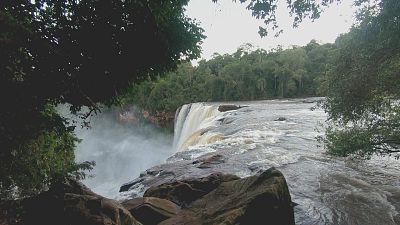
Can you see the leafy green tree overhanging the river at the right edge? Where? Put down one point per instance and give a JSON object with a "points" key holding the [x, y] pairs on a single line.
{"points": [[364, 85]]}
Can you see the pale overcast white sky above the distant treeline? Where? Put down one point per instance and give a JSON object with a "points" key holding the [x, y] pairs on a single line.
{"points": [[228, 25]]}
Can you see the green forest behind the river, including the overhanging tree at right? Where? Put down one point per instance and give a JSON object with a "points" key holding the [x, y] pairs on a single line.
{"points": [[358, 75]]}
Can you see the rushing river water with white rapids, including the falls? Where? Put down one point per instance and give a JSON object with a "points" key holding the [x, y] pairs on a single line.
{"points": [[262, 134]]}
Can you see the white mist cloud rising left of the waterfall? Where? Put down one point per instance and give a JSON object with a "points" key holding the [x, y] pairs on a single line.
{"points": [[121, 151]]}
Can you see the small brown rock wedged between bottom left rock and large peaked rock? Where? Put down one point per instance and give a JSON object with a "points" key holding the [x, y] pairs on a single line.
{"points": [[150, 210]]}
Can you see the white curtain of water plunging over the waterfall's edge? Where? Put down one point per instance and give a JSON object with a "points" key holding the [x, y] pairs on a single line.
{"points": [[190, 122]]}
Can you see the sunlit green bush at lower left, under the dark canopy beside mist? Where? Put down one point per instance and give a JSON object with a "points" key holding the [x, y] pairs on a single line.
{"points": [[37, 163]]}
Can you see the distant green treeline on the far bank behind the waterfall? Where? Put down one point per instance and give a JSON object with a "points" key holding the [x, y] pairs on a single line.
{"points": [[247, 74]]}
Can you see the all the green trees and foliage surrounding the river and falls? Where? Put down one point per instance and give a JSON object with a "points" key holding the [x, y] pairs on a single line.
{"points": [[88, 53]]}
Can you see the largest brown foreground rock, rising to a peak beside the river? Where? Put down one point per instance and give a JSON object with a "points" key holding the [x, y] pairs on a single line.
{"points": [[259, 199]]}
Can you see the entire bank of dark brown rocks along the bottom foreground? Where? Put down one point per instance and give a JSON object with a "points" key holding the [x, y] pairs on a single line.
{"points": [[216, 199]]}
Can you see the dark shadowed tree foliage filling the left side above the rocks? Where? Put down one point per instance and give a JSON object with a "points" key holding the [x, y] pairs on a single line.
{"points": [[79, 52]]}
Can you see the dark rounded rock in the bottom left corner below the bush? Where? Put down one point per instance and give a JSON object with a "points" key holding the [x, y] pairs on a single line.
{"points": [[69, 202]]}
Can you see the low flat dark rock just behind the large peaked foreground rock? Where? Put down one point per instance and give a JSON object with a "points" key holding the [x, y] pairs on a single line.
{"points": [[185, 192]]}
